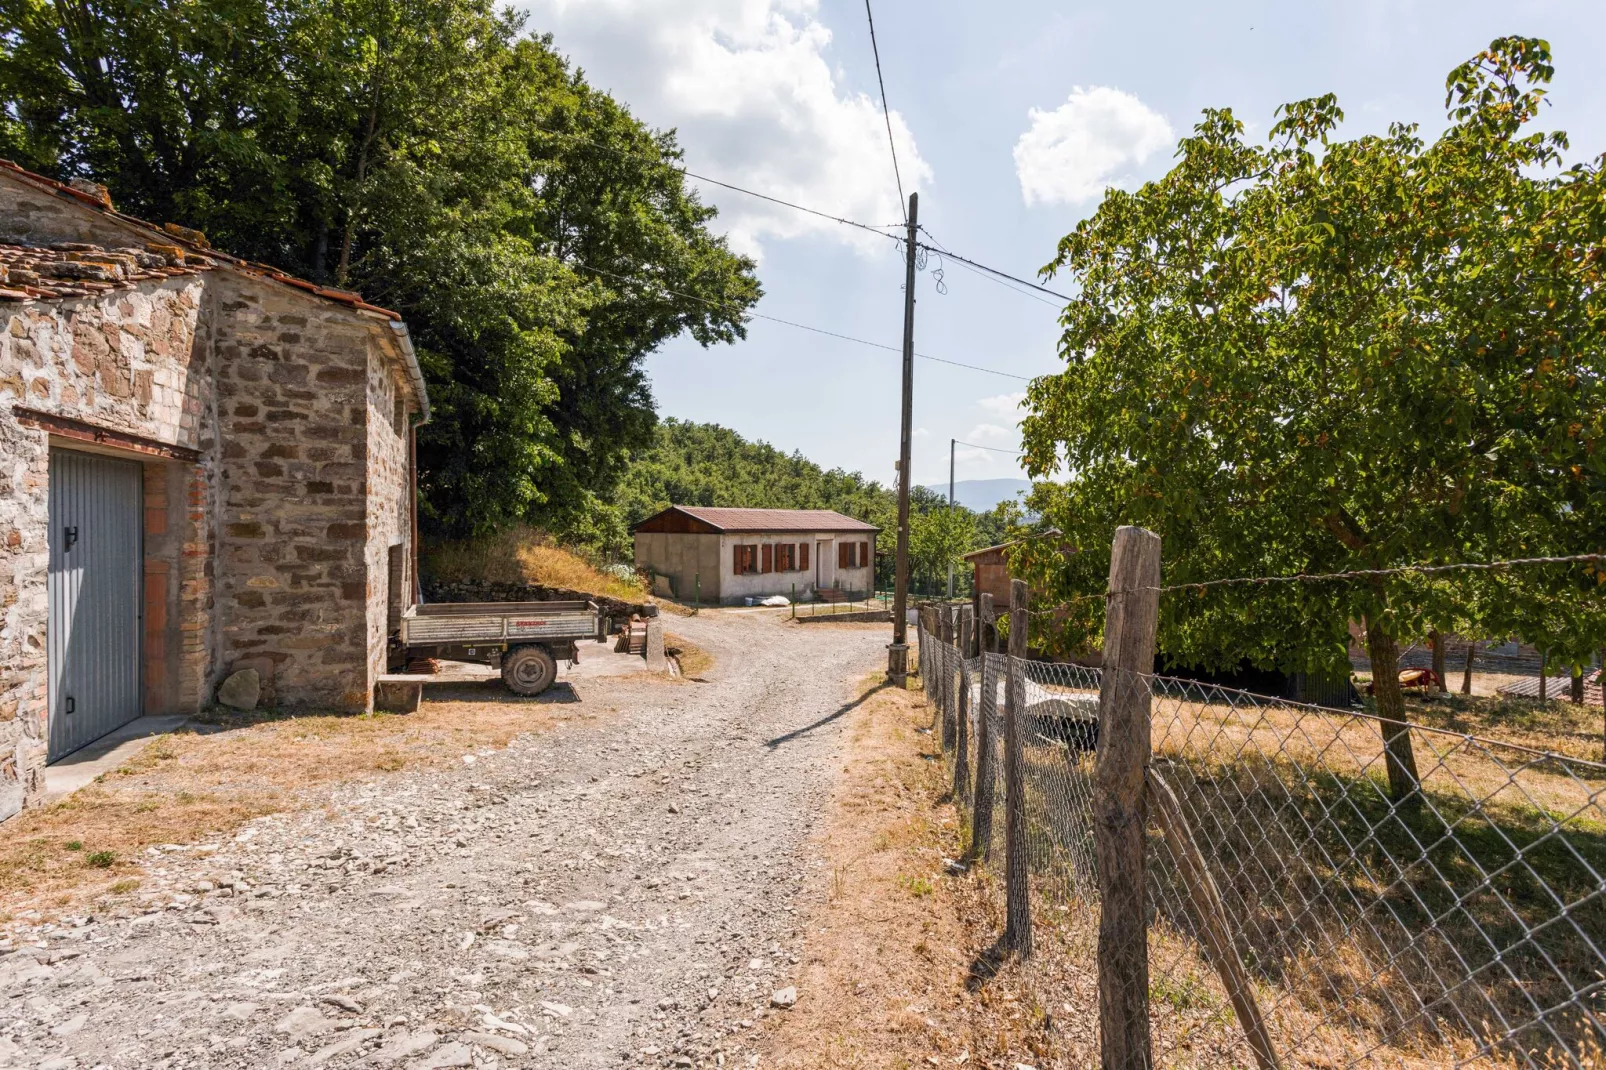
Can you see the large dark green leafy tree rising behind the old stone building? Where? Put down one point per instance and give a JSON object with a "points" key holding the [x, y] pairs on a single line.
{"points": [[534, 234]]}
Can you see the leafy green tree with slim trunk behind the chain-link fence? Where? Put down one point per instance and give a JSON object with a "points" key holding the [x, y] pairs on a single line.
{"points": [[1326, 356]]}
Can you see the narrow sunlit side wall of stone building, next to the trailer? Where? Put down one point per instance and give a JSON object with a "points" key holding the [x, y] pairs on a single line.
{"points": [[389, 521]]}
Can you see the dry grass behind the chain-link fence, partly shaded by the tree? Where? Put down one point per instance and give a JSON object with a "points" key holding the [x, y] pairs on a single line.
{"points": [[1351, 915]]}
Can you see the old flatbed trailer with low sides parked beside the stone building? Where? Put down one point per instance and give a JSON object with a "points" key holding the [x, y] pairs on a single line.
{"points": [[523, 640]]}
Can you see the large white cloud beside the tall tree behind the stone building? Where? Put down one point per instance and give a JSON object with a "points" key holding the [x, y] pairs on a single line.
{"points": [[757, 104]]}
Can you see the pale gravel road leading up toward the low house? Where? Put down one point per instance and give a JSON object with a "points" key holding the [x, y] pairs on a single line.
{"points": [[616, 892]]}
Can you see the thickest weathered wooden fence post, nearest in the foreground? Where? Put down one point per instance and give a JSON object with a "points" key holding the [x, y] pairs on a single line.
{"points": [[1131, 611]]}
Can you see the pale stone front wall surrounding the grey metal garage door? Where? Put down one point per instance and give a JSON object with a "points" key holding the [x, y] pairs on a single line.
{"points": [[134, 361]]}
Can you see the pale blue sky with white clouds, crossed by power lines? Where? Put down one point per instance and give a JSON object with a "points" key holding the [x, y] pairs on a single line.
{"points": [[1011, 118]]}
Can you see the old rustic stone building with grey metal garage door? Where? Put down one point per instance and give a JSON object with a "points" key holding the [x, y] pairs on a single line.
{"points": [[205, 467]]}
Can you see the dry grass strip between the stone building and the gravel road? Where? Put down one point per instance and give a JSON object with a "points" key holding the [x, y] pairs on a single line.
{"points": [[224, 772]]}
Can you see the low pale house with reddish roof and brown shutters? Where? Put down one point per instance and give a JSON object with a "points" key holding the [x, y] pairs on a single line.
{"points": [[725, 557]]}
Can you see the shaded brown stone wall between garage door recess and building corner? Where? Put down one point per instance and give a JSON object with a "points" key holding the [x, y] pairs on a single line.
{"points": [[293, 518]]}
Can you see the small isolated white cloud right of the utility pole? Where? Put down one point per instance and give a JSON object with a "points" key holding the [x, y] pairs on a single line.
{"points": [[1091, 142]]}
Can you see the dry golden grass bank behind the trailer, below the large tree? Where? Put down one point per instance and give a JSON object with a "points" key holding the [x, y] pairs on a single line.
{"points": [[526, 555]]}
